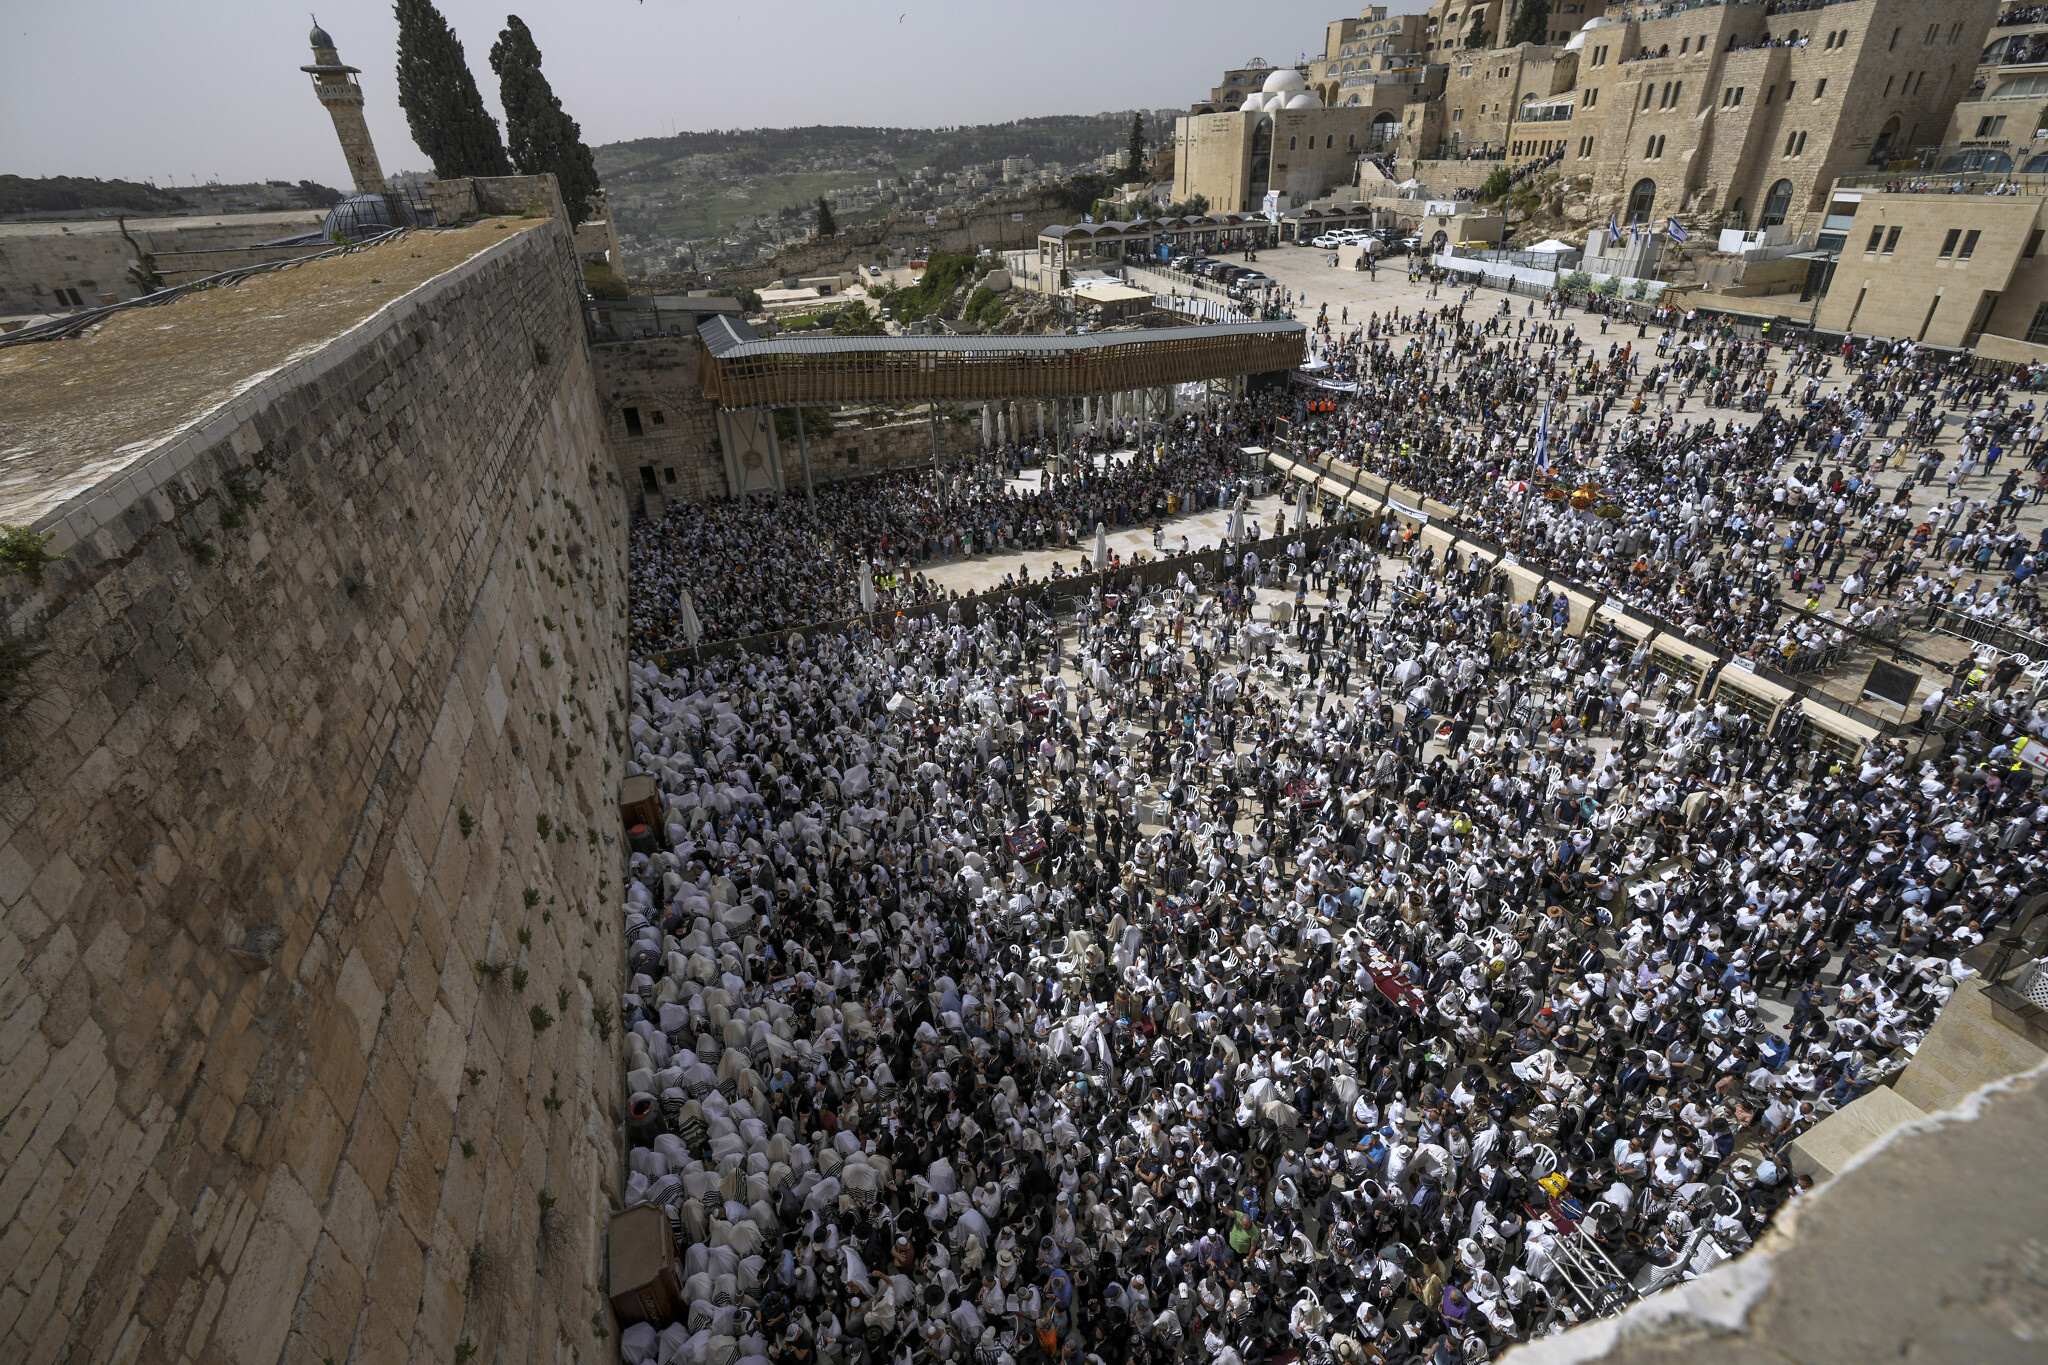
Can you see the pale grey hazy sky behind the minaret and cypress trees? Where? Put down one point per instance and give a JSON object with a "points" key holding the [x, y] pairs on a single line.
{"points": [[181, 91]]}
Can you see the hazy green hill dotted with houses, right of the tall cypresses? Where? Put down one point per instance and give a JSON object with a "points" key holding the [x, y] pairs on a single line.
{"points": [[697, 185]]}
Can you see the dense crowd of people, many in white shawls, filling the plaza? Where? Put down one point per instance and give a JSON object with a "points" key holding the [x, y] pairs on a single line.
{"points": [[1390, 979]]}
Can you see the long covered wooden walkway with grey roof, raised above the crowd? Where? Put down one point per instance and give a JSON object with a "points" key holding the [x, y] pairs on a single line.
{"points": [[744, 371]]}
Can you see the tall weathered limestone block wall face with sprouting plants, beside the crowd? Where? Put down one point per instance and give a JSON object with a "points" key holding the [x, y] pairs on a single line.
{"points": [[304, 830]]}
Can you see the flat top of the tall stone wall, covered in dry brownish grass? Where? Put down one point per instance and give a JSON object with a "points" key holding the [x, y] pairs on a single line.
{"points": [[83, 410]]}
